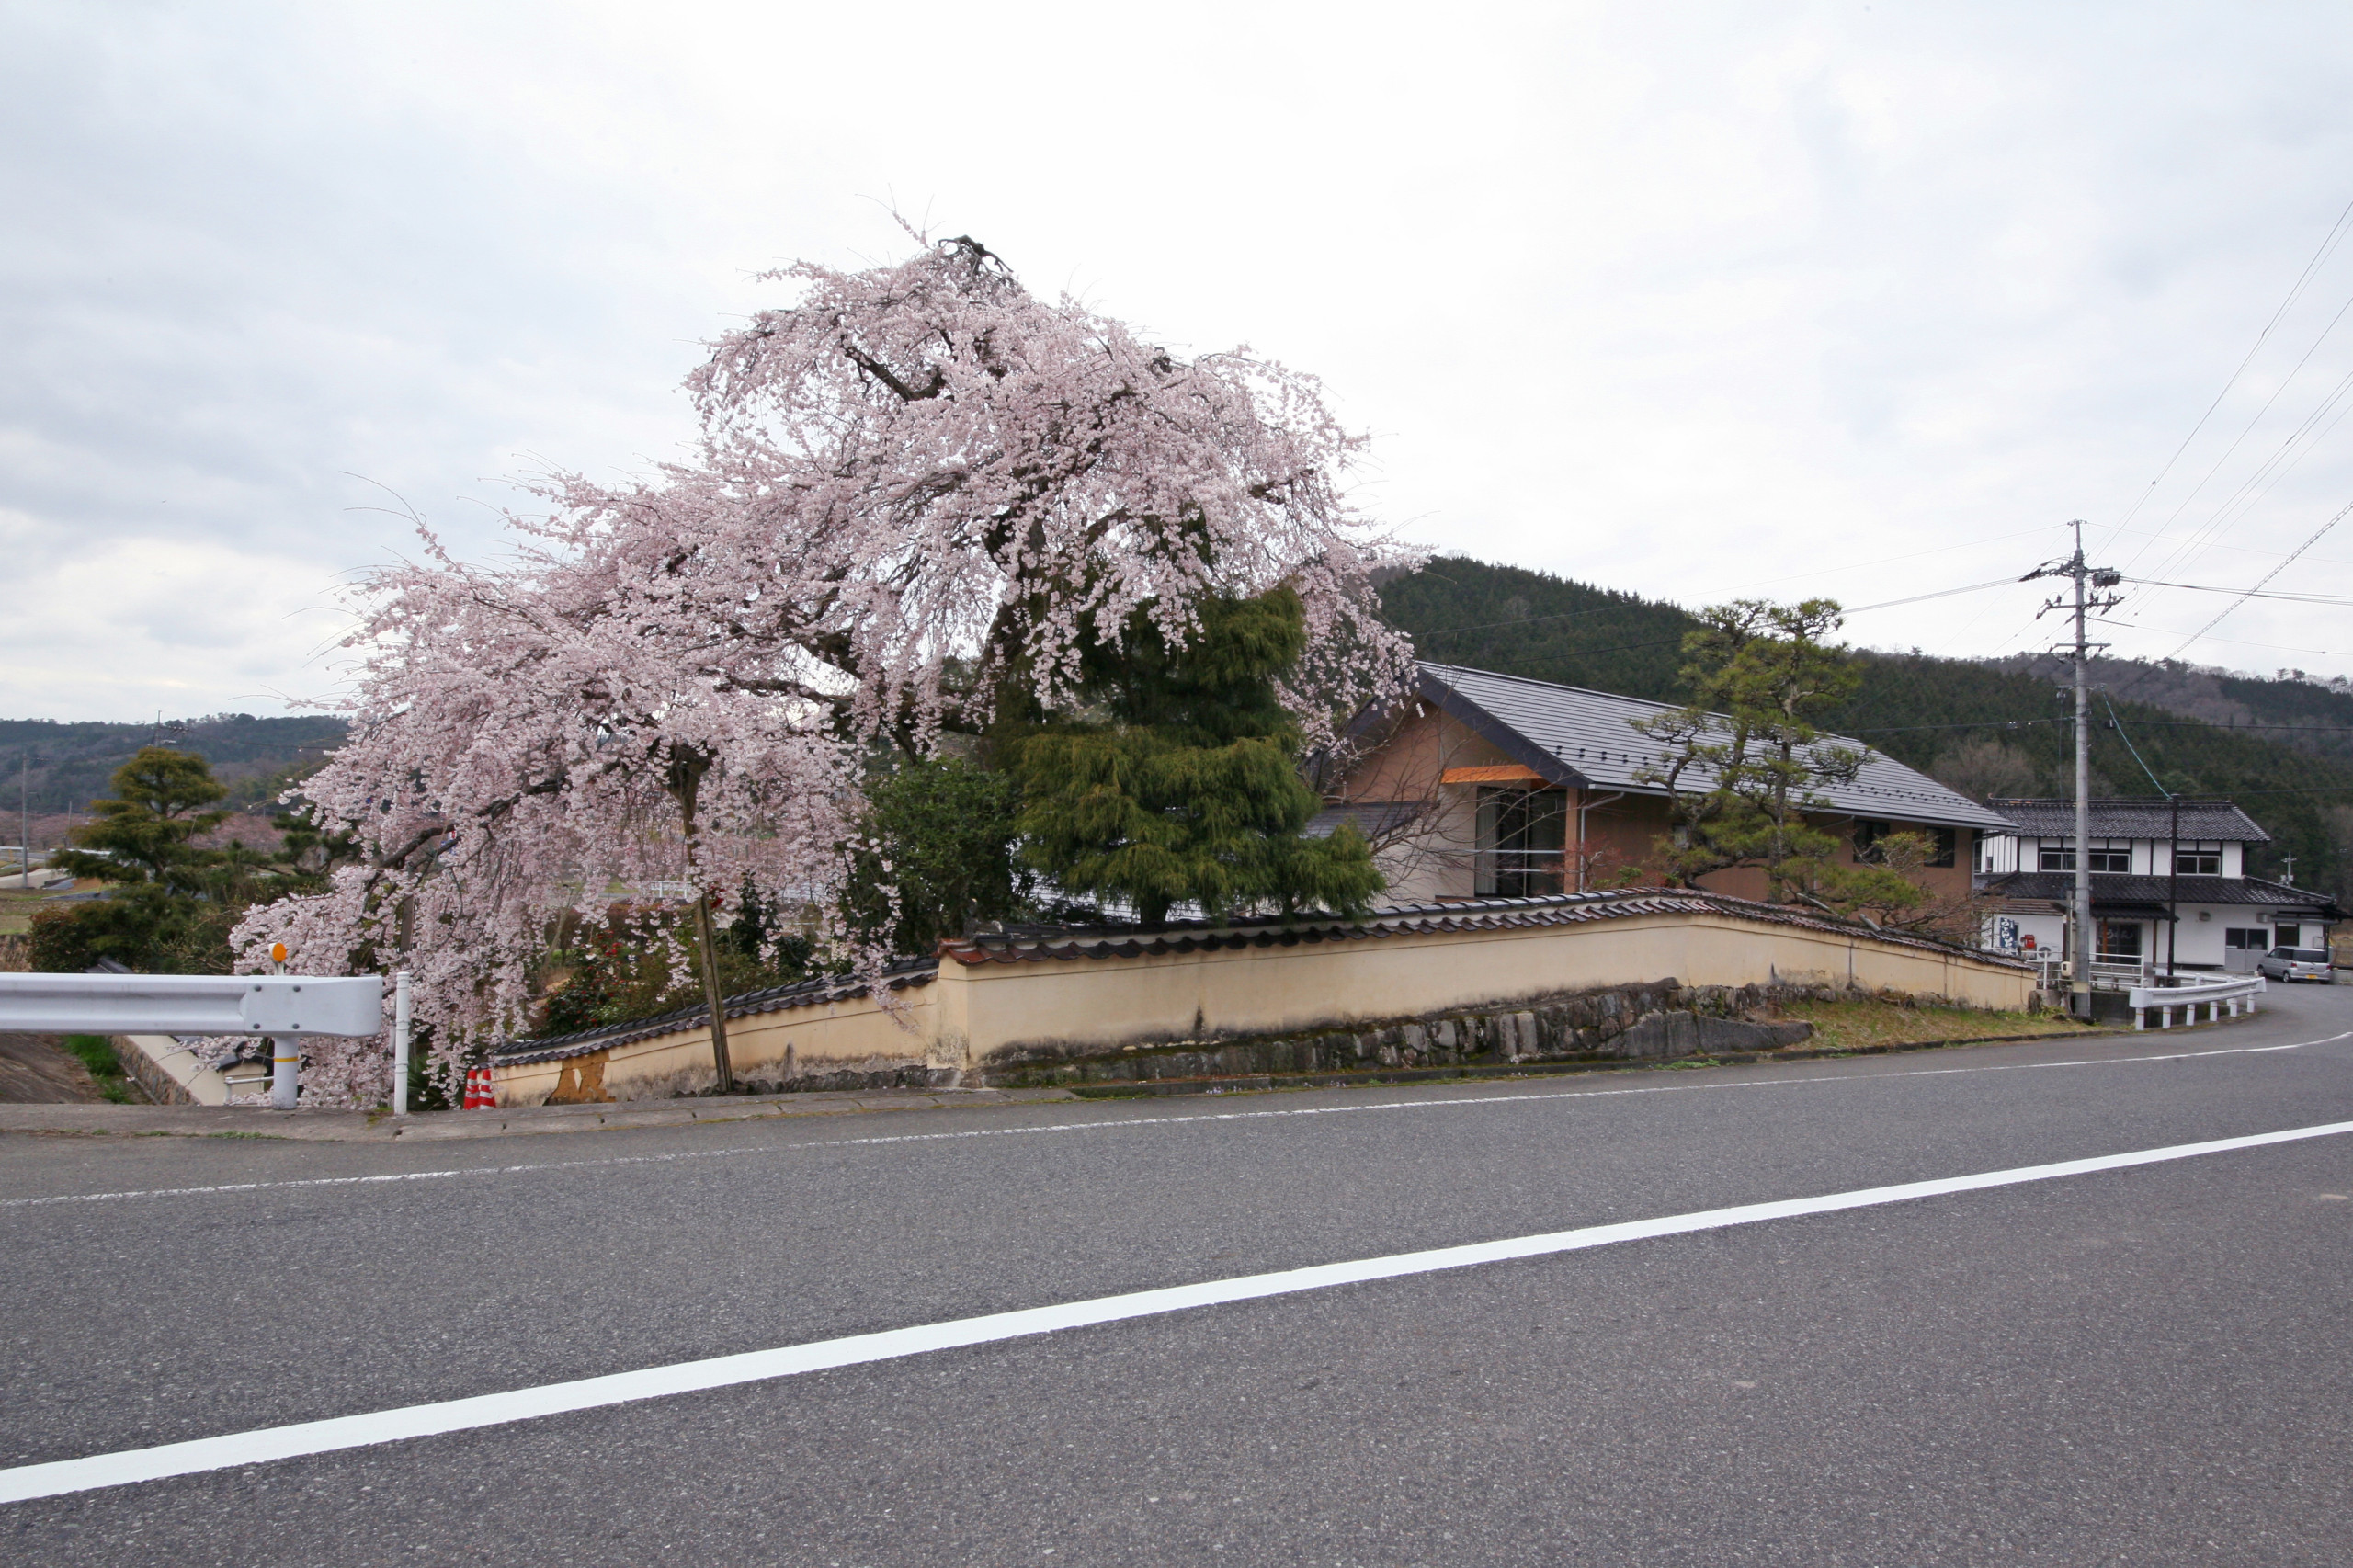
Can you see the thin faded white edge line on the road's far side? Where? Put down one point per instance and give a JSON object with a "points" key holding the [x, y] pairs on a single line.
{"points": [[1140, 1122]]}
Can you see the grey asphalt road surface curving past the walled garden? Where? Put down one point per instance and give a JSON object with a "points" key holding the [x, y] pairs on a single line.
{"points": [[2135, 1367]]}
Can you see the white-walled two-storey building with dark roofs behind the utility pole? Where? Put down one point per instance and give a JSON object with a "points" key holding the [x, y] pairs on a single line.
{"points": [[2227, 919]]}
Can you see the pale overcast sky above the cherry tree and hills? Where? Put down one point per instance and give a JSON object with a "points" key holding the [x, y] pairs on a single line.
{"points": [[1858, 300]]}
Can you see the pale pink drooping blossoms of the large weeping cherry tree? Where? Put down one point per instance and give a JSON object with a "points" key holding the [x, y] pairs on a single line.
{"points": [[914, 486]]}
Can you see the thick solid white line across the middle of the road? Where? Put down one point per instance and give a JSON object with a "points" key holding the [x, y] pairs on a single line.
{"points": [[267, 1444]]}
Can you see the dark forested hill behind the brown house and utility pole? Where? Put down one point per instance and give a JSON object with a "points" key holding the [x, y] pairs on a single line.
{"points": [[1980, 726]]}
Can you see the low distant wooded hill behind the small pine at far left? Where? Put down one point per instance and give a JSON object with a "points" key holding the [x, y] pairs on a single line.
{"points": [[74, 762]]}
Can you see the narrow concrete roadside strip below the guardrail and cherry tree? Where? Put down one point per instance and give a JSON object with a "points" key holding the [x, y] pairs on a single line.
{"points": [[436, 1127]]}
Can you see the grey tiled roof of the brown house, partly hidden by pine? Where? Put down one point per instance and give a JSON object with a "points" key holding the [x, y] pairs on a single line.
{"points": [[1582, 738]]}
